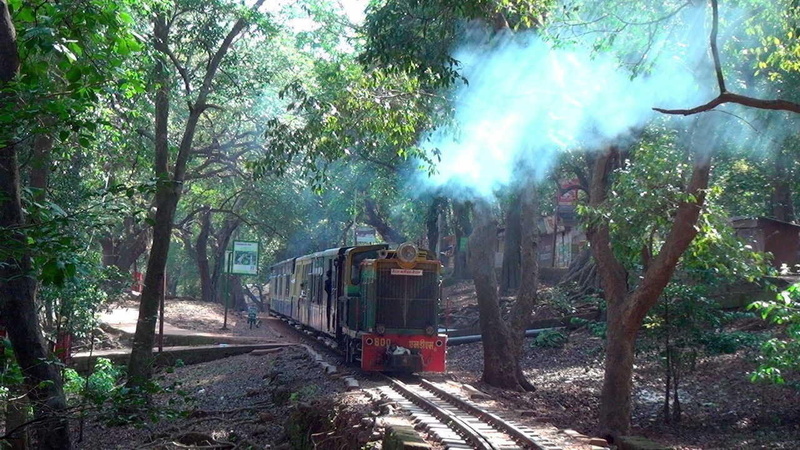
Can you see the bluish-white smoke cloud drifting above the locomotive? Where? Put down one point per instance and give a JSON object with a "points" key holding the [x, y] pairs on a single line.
{"points": [[526, 99]]}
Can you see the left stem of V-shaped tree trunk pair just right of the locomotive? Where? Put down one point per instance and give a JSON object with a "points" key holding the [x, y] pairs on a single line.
{"points": [[499, 367]]}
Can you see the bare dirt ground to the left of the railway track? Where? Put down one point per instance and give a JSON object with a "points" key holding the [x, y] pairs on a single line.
{"points": [[242, 402]]}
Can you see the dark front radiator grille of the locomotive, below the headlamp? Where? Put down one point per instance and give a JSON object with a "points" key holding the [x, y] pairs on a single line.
{"points": [[406, 301]]}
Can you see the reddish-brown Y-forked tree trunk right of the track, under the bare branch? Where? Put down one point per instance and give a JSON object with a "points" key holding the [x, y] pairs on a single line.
{"points": [[626, 305]]}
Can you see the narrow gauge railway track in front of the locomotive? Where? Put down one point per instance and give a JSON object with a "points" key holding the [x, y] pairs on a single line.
{"points": [[459, 423]]}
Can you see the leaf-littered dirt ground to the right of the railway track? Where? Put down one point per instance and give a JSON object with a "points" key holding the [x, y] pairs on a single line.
{"points": [[721, 408]]}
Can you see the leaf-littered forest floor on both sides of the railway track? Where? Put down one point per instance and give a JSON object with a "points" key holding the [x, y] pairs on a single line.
{"points": [[721, 408]]}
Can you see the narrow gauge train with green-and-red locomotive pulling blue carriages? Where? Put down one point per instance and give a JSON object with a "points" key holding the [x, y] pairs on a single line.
{"points": [[380, 305]]}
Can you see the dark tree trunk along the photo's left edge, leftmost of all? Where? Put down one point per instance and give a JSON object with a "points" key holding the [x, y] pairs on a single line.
{"points": [[17, 283]]}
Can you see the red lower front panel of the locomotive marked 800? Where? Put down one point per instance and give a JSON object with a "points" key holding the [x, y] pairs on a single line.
{"points": [[403, 353]]}
